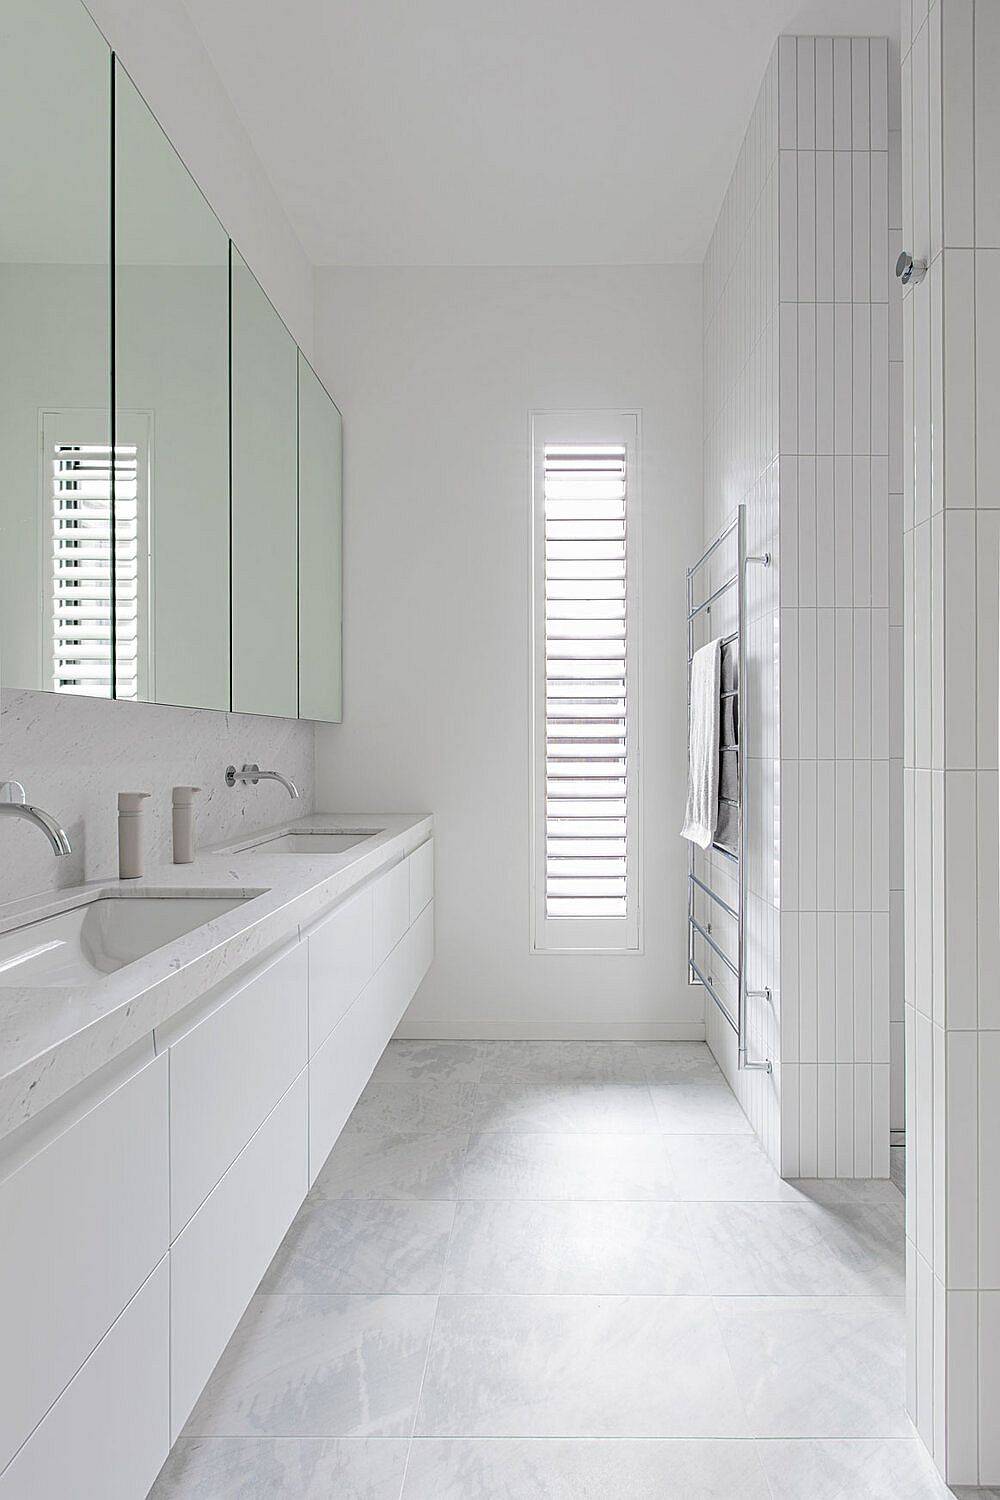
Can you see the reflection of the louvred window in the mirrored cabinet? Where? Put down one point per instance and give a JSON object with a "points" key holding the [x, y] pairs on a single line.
{"points": [[79, 596]]}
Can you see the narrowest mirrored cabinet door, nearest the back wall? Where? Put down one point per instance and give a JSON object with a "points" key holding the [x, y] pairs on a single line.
{"points": [[320, 550]]}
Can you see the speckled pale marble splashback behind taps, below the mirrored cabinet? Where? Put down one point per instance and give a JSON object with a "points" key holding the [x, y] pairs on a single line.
{"points": [[74, 755]]}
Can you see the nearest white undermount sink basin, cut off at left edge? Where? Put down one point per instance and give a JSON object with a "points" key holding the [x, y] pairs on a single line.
{"points": [[95, 940]]}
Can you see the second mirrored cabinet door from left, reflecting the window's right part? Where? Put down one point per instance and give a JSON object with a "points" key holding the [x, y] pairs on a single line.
{"points": [[172, 422]]}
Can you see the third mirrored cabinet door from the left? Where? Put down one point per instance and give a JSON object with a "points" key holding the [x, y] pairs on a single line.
{"points": [[265, 503]]}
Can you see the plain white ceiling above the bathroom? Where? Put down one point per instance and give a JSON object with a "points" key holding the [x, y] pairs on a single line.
{"points": [[515, 133]]}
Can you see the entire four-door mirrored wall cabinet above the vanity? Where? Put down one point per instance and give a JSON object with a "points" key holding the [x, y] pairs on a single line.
{"points": [[172, 518]]}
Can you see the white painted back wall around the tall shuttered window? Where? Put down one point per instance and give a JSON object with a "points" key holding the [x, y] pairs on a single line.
{"points": [[437, 373]]}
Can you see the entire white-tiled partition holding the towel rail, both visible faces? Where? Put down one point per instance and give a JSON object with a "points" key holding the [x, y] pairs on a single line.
{"points": [[803, 391]]}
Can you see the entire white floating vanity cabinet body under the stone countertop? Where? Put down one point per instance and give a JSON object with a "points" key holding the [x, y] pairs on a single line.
{"points": [[140, 1213]]}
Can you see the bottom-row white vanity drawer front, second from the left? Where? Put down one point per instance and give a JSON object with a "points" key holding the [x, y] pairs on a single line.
{"points": [[220, 1259]]}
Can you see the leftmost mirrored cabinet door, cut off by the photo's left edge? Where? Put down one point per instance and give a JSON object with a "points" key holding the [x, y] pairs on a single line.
{"points": [[55, 349]]}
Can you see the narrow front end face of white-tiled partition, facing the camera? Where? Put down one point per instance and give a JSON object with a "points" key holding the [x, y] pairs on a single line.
{"points": [[842, 604]]}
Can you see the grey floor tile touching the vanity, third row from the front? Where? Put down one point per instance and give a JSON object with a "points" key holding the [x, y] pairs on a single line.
{"points": [[364, 1247]]}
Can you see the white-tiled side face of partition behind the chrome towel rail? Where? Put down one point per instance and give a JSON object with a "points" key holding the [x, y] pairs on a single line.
{"points": [[741, 467]]}
